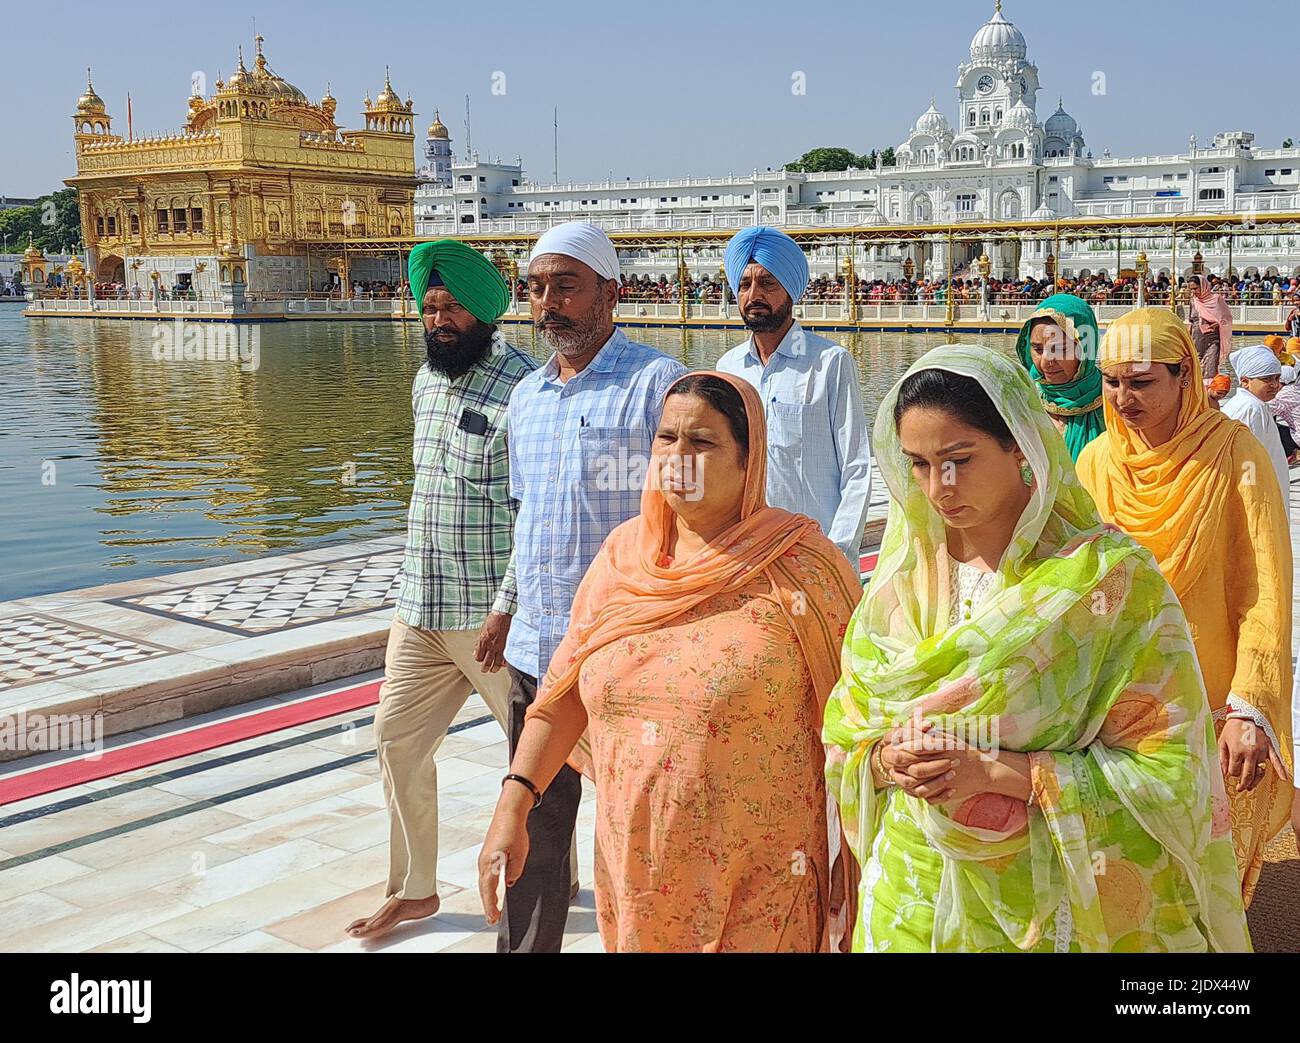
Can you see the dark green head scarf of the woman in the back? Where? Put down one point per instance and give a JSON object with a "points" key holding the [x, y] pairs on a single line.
{"points": [[1077, 404]]}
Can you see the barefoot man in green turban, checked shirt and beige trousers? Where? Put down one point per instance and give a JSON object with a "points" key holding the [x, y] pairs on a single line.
{"points": [[460, 540]]}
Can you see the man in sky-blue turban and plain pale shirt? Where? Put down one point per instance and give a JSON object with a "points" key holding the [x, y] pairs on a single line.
{"points": [[818, 452]]}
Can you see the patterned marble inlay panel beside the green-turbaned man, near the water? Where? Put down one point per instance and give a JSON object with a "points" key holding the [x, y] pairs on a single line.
{"points": [[267, 603]]}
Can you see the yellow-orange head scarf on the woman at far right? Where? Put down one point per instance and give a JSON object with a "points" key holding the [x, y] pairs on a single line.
{"points": [[1171, 497]]}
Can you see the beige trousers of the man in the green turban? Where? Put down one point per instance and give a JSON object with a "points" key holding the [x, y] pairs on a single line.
{"points": [[428, 678]]}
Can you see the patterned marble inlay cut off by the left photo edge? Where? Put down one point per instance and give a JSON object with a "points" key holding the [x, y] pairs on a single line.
{"points": [[40, 648]]}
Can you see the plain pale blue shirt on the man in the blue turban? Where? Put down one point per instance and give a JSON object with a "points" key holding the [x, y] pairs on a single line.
{"points": [[818, 452]]}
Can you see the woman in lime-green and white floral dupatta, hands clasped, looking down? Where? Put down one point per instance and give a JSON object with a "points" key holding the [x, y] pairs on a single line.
{"points": [[1020, 741]]}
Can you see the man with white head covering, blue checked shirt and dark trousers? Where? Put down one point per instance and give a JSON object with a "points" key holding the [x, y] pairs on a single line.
{"points": [[582, 430]]}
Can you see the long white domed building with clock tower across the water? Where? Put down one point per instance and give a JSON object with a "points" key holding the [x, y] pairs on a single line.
{"points": [[995, 161]]}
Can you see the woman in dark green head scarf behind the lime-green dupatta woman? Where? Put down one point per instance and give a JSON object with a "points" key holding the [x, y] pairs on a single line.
{"points": [[1059, 347]]}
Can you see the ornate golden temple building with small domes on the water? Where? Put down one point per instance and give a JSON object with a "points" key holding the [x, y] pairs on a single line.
{"points": [[236, 200]]}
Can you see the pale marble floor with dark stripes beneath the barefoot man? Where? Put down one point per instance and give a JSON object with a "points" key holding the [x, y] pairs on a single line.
{"points": [[272, 845]]}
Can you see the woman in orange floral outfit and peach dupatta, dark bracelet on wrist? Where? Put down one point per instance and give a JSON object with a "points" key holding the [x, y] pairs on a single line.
{"points": [[704, 644]]}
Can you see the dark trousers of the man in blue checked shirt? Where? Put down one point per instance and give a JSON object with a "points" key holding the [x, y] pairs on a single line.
{"points": [[536, 908]]}
